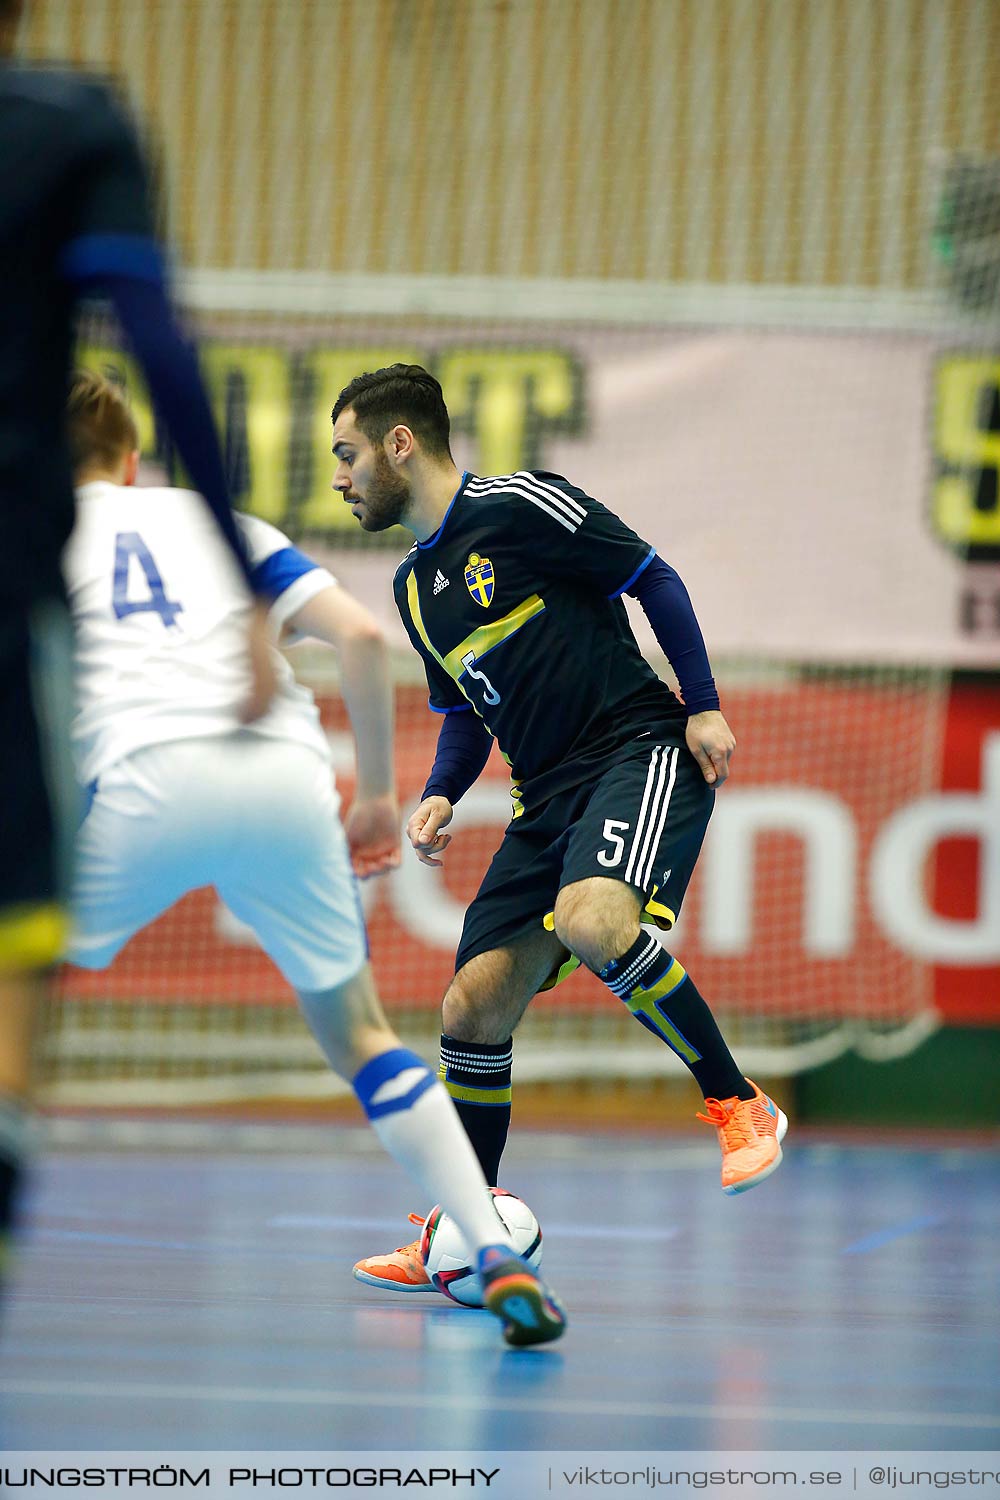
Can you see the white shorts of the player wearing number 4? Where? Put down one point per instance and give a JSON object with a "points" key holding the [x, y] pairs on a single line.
{"points": [[256, 818]]}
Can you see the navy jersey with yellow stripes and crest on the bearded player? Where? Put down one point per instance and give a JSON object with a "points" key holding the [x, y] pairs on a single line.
{"points": [[515, 607]]}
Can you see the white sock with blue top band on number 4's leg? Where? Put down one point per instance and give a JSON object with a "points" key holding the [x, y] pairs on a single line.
{"points": [[419, 1126]]}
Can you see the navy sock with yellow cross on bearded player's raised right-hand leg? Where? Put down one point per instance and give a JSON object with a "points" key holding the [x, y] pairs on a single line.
{"points": [[662, 997]]}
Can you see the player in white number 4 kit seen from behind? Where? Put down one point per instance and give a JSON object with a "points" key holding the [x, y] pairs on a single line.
{"points": [[184, 796]]}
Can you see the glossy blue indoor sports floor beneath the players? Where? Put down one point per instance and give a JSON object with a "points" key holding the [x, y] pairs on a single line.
{"points": [[191, 1289]]}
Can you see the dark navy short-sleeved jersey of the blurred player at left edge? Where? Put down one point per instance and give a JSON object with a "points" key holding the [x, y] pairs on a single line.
{"points": [[71, 178]]}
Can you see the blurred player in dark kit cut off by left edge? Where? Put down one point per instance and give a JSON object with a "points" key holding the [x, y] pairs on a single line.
{"points": [[74, 223]]}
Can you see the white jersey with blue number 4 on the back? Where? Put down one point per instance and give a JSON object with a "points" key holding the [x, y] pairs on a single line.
{"points": [[161, 614]]}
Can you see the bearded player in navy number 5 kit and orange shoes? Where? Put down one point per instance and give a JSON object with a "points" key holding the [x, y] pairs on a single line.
{"points": [[513, 598]]}
